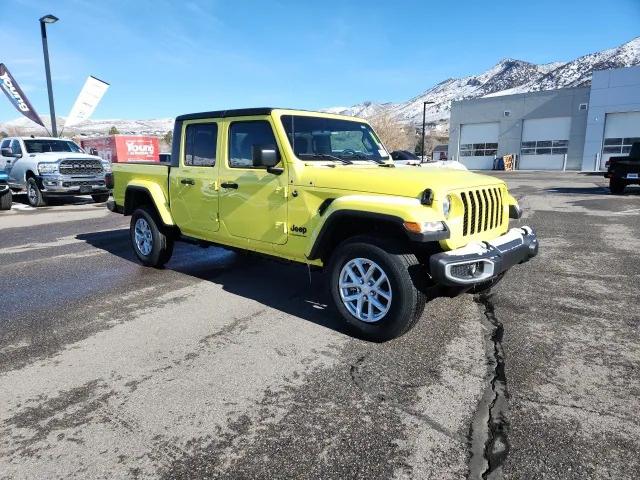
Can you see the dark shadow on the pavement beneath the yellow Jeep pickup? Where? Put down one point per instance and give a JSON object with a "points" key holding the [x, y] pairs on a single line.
{"points": [[286, 287]]}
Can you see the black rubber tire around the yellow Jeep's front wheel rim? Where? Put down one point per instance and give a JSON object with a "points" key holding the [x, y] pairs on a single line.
{"points": [[404, 274]]}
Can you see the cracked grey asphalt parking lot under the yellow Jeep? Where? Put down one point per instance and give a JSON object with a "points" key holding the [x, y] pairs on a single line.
{"points": [[226, 366]]}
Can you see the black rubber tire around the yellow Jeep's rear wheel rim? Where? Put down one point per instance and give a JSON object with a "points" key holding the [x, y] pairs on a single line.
{"points": [[161, 247]]}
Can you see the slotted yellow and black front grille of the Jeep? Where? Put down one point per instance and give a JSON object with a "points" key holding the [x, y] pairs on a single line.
{"points": [[482, 210]]}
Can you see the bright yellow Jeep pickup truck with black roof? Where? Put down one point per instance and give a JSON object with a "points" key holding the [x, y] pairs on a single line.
{"points": [[320, 189]]}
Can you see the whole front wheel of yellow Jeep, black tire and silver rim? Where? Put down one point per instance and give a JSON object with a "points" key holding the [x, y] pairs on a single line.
{"points": [[373, 285]]}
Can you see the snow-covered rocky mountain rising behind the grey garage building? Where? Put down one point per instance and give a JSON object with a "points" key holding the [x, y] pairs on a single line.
{"points": [[507, 77]]}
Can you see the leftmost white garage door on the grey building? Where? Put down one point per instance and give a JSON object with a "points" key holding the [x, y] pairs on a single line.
{"points": [[478, 145]]}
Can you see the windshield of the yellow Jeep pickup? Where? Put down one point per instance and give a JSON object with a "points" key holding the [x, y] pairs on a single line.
{"points": [[318, 138]]}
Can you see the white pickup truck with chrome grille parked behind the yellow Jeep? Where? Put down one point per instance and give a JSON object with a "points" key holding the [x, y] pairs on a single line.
{"points": [[46, 167]]}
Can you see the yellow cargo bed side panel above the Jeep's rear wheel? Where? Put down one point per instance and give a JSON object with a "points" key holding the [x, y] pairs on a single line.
{"points": [[139, 173]]}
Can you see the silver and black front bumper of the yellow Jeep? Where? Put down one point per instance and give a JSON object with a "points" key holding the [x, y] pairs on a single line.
{"points": [[479, 262]]}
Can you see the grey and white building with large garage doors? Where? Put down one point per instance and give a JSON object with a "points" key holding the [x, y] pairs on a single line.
{"points": [[571, 128]]}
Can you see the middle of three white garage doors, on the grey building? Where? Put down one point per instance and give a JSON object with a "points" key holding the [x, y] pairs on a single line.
{"points": [[545, 142]]}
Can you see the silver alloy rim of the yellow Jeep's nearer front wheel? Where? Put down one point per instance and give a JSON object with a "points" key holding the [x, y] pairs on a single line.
{"points": [[365, 290]]}
